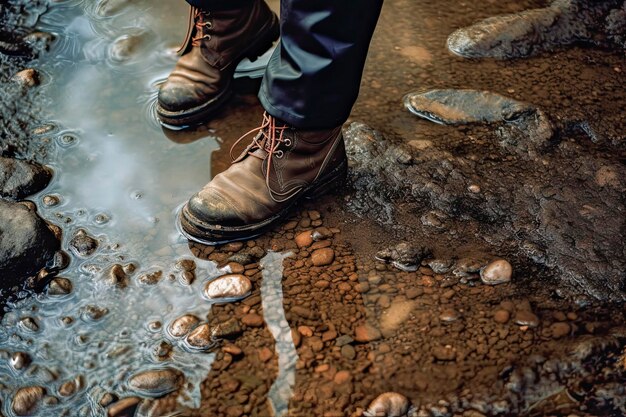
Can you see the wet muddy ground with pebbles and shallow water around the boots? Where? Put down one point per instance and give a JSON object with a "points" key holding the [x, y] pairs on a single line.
{"points": [[338, 313]]}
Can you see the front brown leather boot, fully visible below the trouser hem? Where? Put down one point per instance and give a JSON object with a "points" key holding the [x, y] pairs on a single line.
{"points": [[281, 166]]}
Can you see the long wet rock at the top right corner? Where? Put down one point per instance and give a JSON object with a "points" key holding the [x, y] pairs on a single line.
{"points": [[529, 32]]}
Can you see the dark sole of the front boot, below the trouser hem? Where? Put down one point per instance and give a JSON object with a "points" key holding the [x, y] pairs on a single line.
{"points": [[198, 231]]}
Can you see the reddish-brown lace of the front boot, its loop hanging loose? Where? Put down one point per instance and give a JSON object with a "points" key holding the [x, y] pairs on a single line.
{"points": [[269, 137]]}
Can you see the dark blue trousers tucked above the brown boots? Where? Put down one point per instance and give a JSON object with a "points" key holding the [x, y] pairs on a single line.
{"points": [[314, 75]]}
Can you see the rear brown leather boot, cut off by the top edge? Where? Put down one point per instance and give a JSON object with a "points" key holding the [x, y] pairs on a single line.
{"points": [[216, 42]]}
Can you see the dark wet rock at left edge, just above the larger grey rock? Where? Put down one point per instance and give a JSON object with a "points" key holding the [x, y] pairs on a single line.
{"points": [[19, 179]]}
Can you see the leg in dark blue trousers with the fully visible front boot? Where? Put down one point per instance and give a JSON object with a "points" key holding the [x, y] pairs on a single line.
{"points": [[309, 88]]}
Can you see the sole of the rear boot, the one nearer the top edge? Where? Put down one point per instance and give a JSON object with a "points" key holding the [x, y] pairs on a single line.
{"points": [[200, 113]]}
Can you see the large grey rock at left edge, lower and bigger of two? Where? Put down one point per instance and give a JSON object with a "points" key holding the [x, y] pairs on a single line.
{"points": [[27, 242]]}
